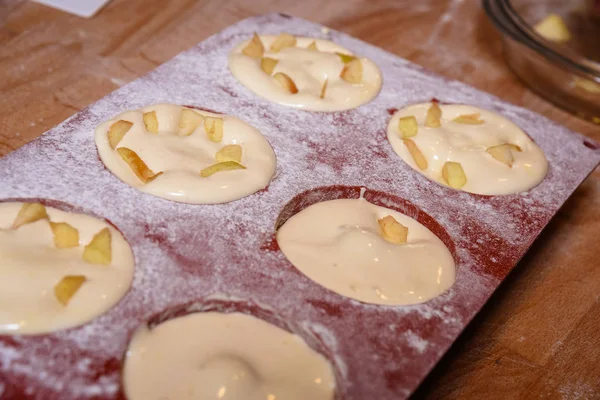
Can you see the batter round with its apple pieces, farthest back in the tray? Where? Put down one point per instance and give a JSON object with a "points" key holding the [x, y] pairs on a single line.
{"points": [[303, 72]]}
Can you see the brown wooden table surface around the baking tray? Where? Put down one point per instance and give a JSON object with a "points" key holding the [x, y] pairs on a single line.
{"points": [[539, 335]]}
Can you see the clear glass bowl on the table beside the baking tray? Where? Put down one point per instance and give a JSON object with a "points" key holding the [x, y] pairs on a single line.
{"points": [[567, 74]]}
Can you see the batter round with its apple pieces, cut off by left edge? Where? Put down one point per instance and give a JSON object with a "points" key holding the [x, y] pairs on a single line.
{"points": [[58, 269]]}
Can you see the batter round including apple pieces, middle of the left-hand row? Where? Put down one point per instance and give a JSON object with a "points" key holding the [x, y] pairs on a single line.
{"points": [[186, 155]]}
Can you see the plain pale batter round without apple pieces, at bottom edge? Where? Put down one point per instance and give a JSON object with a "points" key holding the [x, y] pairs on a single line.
{"points": [[213, 355]]}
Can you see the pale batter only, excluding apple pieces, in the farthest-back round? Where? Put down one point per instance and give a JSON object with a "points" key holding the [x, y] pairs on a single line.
{"points": [[308, 69]]}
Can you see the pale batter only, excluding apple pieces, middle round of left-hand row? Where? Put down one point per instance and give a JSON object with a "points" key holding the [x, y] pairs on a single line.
{"points": [[181, 158]]}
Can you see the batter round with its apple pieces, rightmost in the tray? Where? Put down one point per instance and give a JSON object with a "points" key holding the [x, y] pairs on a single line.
{"points": [[467, 148]]}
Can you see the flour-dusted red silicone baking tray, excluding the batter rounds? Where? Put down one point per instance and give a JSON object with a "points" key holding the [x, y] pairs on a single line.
{"points": [[197, 257]]}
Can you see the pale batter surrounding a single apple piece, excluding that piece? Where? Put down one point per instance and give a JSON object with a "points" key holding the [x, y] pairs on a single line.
{"points": [[339, 245]]}
